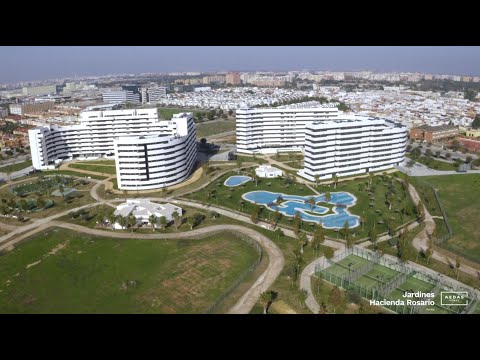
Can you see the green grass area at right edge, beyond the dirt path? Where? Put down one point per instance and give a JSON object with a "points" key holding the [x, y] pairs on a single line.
{"points": [[460, 196]]}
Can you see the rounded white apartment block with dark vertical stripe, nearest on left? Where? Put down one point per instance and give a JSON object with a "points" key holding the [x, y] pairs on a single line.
{"points": [[158, 160]]}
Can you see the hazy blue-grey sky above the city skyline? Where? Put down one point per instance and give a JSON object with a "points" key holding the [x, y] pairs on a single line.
{"points": [[25, 63]]}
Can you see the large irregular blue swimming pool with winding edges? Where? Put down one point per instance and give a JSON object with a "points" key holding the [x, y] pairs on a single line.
{"points": [[293, 203]]}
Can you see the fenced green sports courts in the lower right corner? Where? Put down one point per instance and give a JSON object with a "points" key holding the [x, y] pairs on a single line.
{"points": [[376, 277]]}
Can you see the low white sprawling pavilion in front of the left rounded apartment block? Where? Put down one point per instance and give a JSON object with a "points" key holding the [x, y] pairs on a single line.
{"points": [[142, 209]]}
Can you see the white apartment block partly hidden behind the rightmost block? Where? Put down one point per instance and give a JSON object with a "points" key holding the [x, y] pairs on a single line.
{"points": [[272, 130]]}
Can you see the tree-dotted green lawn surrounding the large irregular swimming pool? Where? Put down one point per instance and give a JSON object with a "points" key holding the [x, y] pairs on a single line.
{"points": [[231, 198]]}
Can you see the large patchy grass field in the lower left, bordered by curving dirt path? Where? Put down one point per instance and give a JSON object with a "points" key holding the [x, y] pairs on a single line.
{"points": [[86, 275]]}
